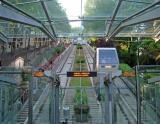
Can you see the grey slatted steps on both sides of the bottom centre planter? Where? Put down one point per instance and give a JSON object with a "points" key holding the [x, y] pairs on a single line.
{"points": [[95, 108]]}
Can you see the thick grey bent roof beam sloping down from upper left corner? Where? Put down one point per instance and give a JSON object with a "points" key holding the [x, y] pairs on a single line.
{"points": [[20, 16]]}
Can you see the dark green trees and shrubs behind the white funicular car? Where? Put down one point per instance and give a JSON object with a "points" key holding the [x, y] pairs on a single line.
{"points": [[149, 52]]}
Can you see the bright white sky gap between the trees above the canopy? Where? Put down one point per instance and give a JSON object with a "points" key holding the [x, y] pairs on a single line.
{"points": [[73, 9]]}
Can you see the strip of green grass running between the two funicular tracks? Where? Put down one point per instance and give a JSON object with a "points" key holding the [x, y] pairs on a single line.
{"points": [[75, 81]]}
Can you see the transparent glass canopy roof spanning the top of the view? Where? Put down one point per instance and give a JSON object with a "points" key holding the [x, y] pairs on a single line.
{"points": [[69, 18]]}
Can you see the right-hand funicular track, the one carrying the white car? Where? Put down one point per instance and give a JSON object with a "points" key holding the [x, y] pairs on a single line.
{"points": [[126, 106]]}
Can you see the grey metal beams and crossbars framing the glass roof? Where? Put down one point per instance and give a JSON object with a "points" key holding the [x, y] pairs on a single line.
{"points": [[14, 14]]}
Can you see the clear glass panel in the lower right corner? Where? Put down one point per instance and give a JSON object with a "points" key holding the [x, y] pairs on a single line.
{"points": [[150, 93]]}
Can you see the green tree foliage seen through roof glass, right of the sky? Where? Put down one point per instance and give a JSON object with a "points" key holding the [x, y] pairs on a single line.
{"points": [[105, 8]]}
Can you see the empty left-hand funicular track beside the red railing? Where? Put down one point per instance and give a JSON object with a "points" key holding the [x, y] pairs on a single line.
{"points": [[42, 100]]}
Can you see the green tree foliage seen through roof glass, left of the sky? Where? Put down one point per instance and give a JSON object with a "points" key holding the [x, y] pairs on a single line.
{"points": [[36, 10]]}
